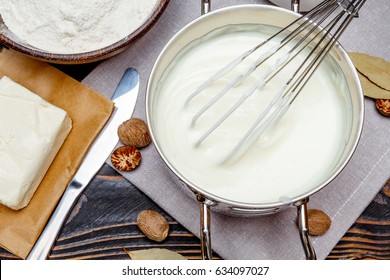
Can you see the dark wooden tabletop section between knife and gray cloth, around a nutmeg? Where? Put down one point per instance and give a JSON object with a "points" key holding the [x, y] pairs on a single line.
{"points": [[103, 223]]}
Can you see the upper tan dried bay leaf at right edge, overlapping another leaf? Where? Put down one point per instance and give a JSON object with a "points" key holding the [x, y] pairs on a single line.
{"points": [[375, 69]]}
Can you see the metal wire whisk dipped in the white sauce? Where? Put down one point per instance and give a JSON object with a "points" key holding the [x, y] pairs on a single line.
{"points": [[303, 33]]}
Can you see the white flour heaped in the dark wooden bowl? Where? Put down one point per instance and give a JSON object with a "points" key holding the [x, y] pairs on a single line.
{"points": [[74, 26]]}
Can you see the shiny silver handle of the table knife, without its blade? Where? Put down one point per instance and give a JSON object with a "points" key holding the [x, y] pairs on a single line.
{"points": [[46, 240]]}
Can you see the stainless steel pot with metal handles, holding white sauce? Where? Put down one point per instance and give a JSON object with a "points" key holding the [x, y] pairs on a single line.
{"points": [[251, 14]]}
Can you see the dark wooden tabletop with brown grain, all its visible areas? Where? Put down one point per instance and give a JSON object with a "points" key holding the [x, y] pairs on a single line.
{"points": [[102, 223]]}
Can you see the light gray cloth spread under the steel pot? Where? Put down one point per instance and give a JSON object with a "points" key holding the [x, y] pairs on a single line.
{"points": [[275, 236]]}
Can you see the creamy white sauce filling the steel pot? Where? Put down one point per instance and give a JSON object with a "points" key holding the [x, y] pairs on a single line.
{"points": [[293, 158]]}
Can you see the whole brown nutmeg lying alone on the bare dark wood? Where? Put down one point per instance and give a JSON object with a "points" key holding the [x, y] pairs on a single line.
{"points": [[153, 225]]}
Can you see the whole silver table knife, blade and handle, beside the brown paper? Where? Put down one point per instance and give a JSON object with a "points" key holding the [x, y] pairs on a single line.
{"points": [[124, 97]]}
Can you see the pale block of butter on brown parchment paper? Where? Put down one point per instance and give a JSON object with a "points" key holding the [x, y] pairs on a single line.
{"points": [[32, 131]]}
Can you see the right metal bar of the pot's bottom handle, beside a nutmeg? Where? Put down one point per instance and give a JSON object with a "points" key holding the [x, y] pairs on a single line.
{"points": [[304, 230]]}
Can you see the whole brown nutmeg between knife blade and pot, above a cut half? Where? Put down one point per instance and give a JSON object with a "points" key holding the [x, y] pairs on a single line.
{"points": [[134, 132]]}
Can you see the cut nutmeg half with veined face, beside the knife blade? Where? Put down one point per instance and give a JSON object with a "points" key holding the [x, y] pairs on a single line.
{"points": [[126, 158]]}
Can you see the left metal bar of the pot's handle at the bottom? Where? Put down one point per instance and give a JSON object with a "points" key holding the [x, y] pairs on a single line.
{"points": [[205, 232]]}
